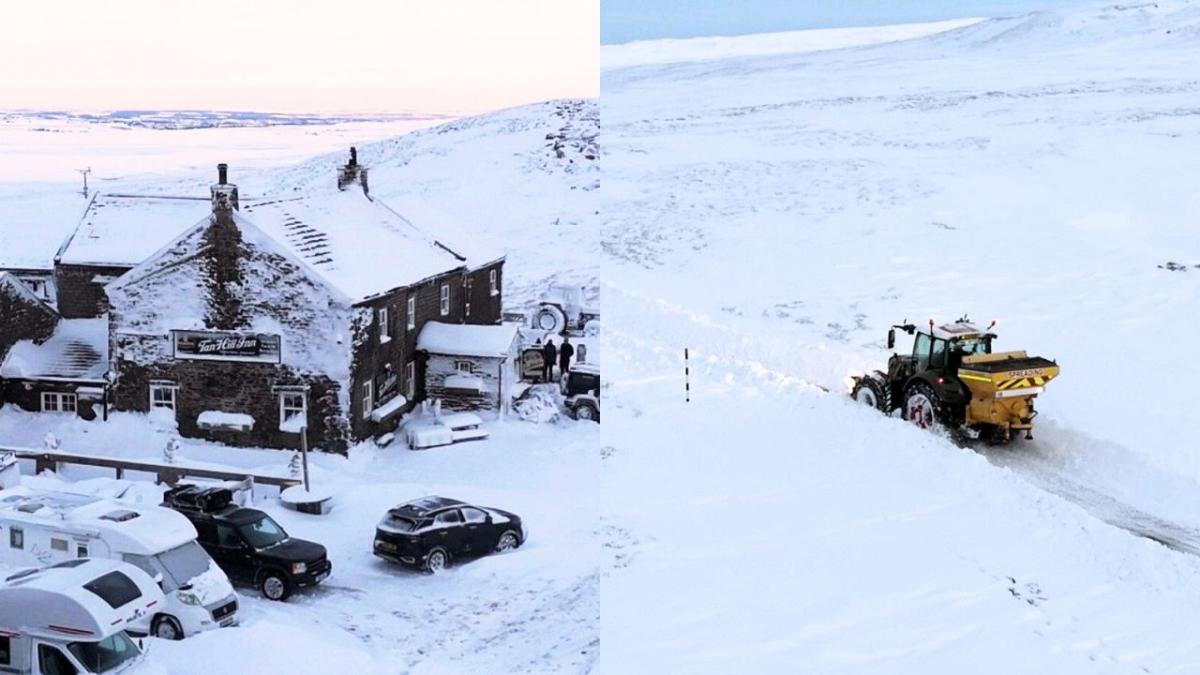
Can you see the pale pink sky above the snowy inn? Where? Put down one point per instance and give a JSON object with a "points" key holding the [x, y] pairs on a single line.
{"points": [[298, 56]]}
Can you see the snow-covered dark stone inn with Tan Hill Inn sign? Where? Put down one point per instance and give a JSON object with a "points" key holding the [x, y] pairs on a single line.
{"points": [[249, 319]]}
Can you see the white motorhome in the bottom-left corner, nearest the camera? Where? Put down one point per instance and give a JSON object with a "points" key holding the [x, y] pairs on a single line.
{"points": [[71, 619]]}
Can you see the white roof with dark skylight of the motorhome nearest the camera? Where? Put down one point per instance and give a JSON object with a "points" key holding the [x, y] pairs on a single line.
{"points": [[53, 601]]}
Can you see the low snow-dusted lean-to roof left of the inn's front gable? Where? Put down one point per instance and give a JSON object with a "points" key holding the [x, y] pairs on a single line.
{"points": [[79, 350]]}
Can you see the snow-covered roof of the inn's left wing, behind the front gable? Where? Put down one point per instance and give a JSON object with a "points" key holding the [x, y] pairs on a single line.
{"points": [[124, 230]]}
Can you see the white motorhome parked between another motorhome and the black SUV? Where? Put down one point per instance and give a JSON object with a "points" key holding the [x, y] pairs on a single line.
{"points": [[44, 528]]}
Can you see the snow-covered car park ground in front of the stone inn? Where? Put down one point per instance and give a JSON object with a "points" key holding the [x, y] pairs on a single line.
{"points": [[533, 611]]}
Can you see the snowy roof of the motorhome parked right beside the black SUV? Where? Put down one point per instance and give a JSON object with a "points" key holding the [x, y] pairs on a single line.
{"points": [[136, 530]]}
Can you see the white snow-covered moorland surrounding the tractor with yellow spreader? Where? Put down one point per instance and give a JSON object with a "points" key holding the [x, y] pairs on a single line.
{"points": [[776, 214]]}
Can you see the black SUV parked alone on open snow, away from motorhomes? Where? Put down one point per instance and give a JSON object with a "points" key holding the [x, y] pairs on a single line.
{"points": [[430, 533]]}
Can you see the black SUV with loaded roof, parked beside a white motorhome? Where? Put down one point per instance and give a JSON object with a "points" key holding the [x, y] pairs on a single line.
{"points": [[248, 545]]}
